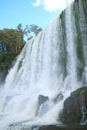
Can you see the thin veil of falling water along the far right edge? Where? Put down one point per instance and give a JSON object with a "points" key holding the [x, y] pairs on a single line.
{"points": [[83, 27]]}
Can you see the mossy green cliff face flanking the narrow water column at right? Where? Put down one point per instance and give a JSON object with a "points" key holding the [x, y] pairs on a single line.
{"points": [[79, 16]]}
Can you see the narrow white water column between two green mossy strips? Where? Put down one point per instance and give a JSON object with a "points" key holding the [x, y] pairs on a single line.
{"points": [[71, 47]]}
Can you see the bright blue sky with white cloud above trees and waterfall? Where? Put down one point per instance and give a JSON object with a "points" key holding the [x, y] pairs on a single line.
{"points": [[26, 12]]}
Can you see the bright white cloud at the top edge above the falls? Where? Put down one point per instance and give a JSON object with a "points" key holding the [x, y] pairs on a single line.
{"points": [[52, 5]]}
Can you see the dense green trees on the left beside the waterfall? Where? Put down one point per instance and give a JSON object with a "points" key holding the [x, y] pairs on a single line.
{"points": [[11, 43]]}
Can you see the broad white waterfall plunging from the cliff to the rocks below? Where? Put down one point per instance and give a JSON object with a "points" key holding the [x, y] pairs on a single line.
{"points": [[44, 74]]}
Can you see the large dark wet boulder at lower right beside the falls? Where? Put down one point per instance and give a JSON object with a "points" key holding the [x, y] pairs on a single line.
{"points": [[75, 107]]}
